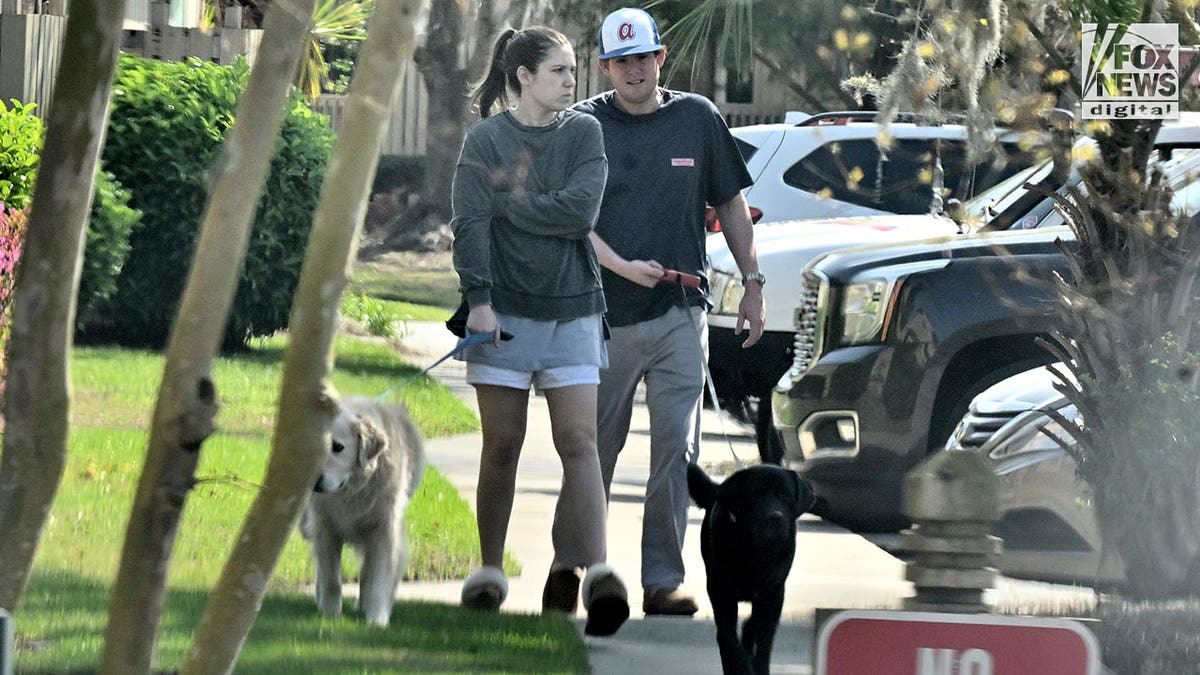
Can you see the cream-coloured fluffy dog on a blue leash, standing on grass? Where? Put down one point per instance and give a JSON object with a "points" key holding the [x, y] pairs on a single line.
{"points": [[371, 471]]}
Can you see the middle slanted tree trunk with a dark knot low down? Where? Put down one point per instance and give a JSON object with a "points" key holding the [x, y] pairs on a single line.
{"points": [[188, 401]]}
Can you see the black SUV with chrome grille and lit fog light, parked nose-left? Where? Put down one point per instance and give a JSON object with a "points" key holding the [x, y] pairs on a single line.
{"points": [[895, 342]]}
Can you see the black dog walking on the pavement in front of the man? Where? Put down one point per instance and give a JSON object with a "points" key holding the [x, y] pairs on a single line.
{"points": [[748, 542]]}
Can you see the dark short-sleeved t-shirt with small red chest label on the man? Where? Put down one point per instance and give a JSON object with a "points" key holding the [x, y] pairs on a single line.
{"points": [[664, 169]]}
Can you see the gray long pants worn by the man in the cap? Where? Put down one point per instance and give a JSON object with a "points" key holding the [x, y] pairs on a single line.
{"points": [[668, 354]]}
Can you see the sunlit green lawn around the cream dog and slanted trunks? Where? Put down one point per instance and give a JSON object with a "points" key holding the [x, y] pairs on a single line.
{"points": [[62, 618]]}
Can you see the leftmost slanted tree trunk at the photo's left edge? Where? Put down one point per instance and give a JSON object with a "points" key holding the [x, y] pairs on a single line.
{"points": [[38, 403]]}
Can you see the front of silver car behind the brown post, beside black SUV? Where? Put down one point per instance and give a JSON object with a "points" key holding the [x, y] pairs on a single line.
{"points": [[1047, 521]]}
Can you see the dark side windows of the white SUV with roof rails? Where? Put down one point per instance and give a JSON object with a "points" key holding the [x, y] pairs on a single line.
{"points": [[850, 171]]}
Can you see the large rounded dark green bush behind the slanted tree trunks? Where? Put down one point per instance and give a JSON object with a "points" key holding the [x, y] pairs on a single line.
{"points": [[167, 126]]}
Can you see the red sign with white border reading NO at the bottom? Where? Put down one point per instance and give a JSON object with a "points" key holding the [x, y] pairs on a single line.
{"points": [[921, 643]]}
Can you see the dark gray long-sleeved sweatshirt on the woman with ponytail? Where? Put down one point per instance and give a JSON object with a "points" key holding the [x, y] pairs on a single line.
{"points": [[525, 200]]}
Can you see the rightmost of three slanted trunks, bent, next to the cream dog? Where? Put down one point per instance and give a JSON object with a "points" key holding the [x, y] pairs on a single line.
{"points": [[307, 408]]}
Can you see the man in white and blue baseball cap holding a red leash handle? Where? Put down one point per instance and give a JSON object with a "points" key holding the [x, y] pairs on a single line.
{"points": [[670, 156]]}
